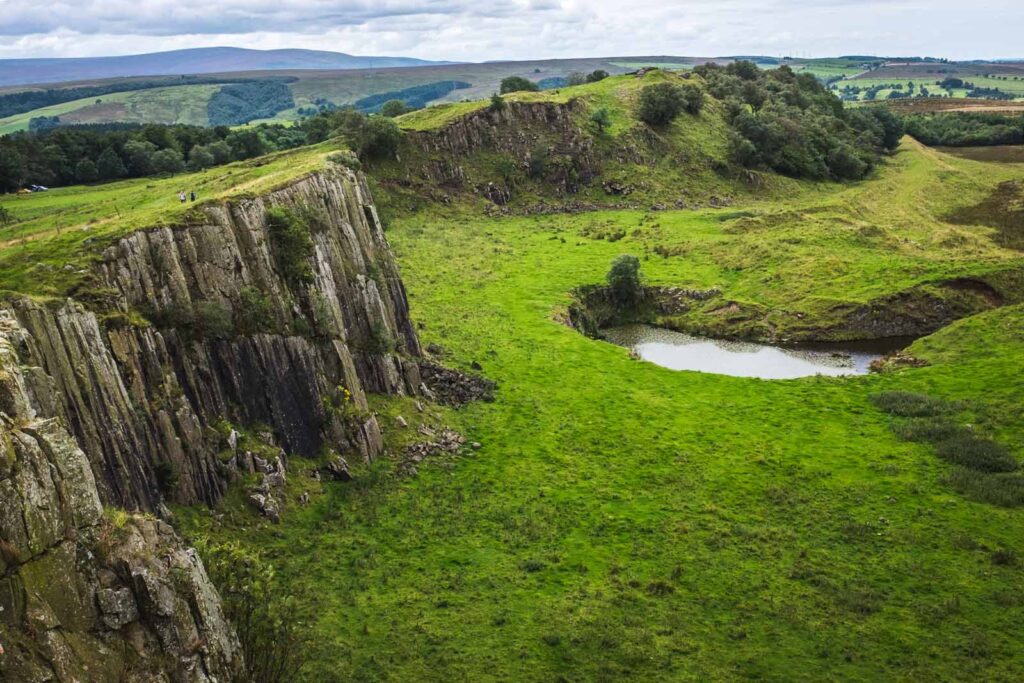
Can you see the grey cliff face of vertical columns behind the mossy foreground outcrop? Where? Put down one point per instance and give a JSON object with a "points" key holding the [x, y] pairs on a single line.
{"points": [[234, 339]]}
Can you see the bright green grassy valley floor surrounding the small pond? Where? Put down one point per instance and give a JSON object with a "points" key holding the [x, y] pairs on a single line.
{"points": [[625, 522]]}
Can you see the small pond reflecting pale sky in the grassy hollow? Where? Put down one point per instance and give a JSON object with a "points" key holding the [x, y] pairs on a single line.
{"points": [[681, 352]]}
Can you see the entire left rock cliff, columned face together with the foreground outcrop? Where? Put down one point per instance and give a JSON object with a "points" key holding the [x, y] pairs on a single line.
{"points": [[278, 313]]}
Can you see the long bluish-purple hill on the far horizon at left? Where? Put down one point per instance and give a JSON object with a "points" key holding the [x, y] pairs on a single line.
{"points": [[197, 61]]}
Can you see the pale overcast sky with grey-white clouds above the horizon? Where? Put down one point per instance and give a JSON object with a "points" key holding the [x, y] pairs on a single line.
{"points": [[479, 30]]}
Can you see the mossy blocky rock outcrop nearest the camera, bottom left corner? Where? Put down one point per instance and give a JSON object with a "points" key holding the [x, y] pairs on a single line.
{"points": [[84, 599]]}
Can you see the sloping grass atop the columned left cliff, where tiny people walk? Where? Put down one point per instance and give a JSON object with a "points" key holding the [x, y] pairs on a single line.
{"points": [[67, 227]]}
